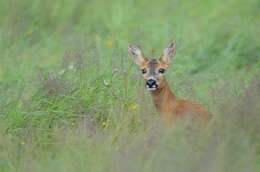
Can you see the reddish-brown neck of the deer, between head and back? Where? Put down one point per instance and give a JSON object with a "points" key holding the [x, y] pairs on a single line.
{"points": [[163, 96]]}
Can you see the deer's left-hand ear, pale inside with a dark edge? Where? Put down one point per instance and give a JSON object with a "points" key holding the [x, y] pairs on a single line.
{"points": [[137, 54]]}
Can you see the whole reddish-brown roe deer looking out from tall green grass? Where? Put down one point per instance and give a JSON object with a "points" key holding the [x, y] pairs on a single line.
{"points": [[164, 99]]}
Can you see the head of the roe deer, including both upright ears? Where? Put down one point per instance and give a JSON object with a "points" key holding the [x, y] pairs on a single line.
{"points": [[152, 69]]}
